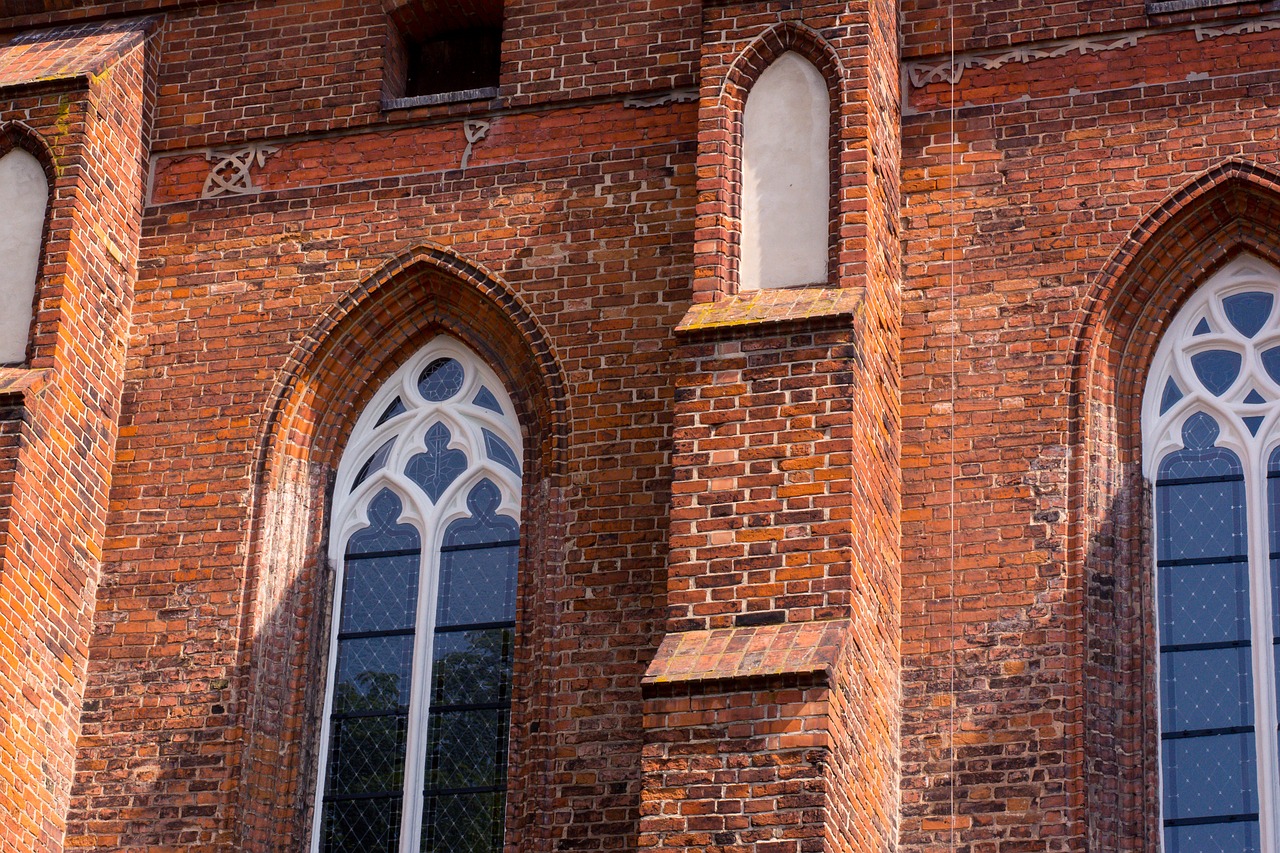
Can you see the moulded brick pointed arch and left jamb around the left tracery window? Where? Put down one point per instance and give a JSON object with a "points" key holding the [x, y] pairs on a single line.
{"points": [[321, 393]]}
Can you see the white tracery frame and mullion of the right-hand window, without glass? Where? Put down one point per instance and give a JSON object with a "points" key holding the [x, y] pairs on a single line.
{"points": [[1162, 436]]}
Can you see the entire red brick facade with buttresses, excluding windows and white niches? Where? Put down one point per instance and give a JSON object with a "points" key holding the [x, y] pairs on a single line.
{"points": [[853, 568]]}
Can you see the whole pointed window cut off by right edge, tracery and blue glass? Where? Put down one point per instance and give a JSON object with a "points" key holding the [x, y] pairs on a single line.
{"points": [[1212, 445]]}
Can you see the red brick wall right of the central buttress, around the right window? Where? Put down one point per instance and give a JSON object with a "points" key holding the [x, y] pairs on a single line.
{"points": [[1035, 218]]}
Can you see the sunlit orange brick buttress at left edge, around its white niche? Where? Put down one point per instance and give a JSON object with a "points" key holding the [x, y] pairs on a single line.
{"points": [[92, 133]]}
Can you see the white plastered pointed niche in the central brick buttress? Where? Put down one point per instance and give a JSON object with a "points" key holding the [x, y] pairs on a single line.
{"points": [[787, 177]]}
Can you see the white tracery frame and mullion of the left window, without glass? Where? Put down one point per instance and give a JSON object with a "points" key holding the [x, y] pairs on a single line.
{"points": [[351, 514]]}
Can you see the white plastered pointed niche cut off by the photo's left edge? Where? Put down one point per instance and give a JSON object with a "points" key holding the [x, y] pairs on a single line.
{"points": [[24, 198]]}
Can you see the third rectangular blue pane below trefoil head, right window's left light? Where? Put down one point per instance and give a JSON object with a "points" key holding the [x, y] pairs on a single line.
{"points": [[1206, 690]]}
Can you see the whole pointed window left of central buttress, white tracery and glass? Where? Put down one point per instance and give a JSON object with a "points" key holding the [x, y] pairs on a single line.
{"points": [[424, 537]]}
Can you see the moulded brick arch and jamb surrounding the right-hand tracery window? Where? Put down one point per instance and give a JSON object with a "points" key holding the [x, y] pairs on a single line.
{"points": [[1223, 213]]}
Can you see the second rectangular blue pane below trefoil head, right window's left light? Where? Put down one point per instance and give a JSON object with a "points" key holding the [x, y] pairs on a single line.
{"points": [[1204, 604]]}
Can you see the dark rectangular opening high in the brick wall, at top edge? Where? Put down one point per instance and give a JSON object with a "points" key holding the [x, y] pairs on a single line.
{"points": [[447, 49]]}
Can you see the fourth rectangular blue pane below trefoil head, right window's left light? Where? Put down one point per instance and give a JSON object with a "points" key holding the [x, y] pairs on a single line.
{"points": [[1210, 777]]}
